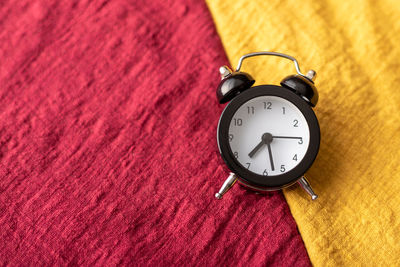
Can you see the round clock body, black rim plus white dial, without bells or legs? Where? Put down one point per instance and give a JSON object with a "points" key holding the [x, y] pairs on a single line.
{"points": [[268, 136]]}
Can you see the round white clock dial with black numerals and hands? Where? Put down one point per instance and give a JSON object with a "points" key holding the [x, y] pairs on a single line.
{"points": [[269, 135]]}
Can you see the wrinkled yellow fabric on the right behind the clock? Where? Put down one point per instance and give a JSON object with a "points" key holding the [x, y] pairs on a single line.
{"points": [[355, 48]]}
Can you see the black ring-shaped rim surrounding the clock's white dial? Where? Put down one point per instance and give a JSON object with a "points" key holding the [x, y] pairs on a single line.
{"points": [[251, 179]]}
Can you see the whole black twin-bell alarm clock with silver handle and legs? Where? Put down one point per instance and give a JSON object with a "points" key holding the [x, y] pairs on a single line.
{"points": [[268, 135]]}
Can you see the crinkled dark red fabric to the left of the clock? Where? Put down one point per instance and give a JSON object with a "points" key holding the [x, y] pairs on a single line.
{"points": [[108, 153]]}
